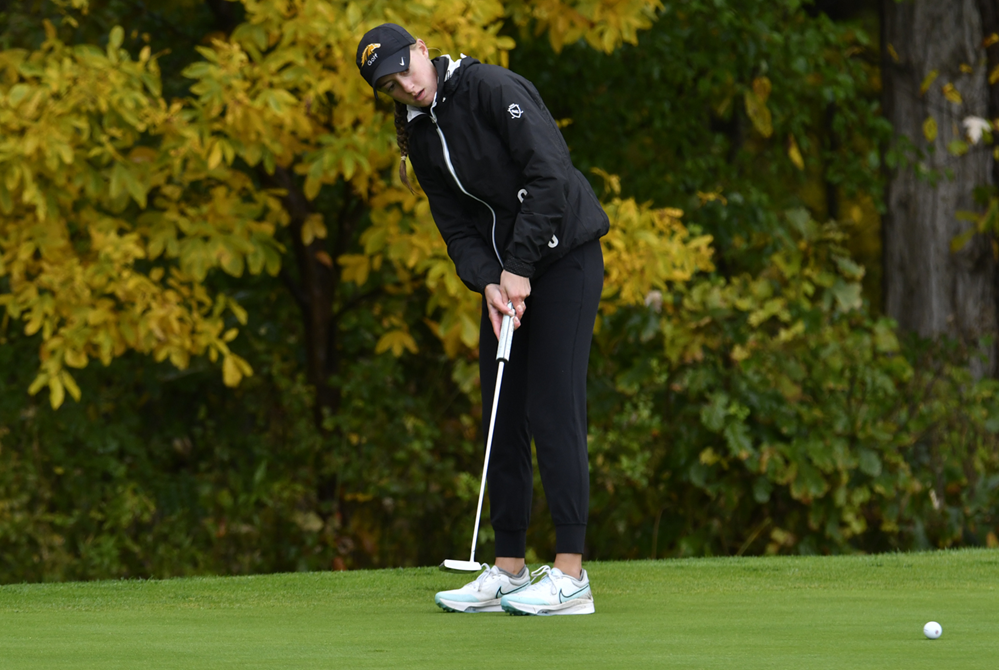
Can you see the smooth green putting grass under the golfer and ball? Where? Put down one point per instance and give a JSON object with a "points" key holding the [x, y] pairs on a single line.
{"points": [[789, 612]]}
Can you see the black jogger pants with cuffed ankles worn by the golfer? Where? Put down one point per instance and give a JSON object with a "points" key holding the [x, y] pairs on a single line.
{"points": [[543, 396]]}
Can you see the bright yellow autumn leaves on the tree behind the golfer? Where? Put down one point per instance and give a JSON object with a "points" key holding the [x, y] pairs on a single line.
{"points": [[116, 205]]}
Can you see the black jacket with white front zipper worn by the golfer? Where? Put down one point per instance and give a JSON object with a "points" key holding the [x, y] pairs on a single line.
{"points": [[494, 165]]}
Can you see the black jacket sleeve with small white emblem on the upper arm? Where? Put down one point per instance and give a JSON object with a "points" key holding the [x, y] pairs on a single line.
{"points": [[514, 108]]}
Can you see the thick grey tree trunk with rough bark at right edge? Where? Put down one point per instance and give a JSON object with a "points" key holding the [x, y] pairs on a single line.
{"points": [[927, 288]]}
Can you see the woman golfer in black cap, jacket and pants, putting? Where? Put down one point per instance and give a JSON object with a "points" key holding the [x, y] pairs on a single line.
{"points": [[522, 226]]}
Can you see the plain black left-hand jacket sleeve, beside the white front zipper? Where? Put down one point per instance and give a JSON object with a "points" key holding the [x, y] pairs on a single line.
{"points": [[474, 260]]}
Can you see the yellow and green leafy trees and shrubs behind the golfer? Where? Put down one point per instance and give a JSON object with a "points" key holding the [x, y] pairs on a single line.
{"points": [[165, 192]]}
